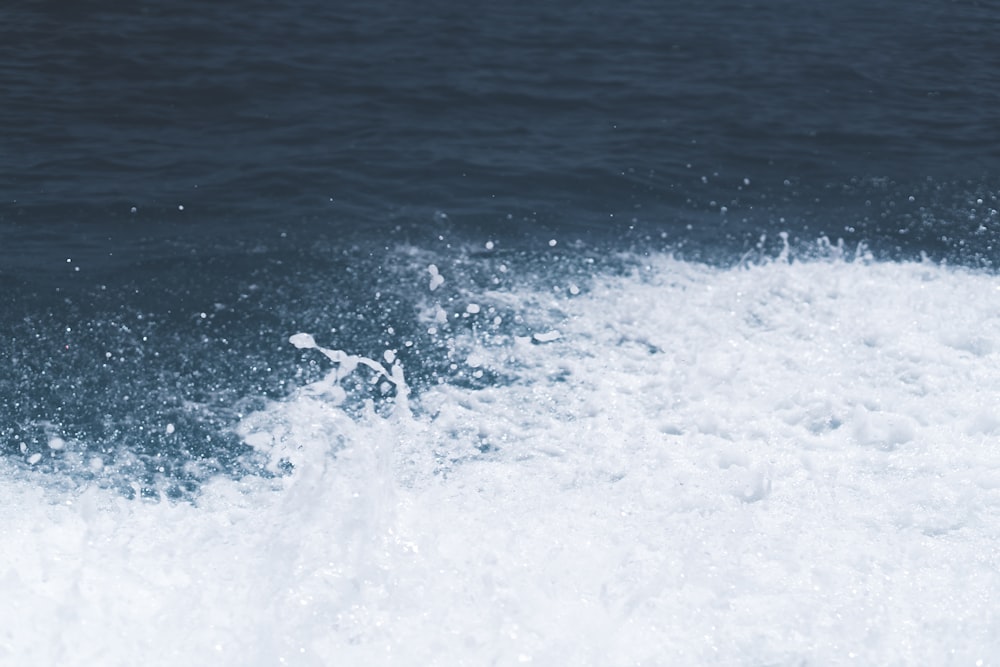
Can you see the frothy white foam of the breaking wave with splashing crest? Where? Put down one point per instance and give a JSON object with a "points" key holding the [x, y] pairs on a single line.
{"points": [[794, 463]]}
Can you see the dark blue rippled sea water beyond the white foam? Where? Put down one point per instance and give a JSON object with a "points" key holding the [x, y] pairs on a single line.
{"points": [[184, 184]]}
